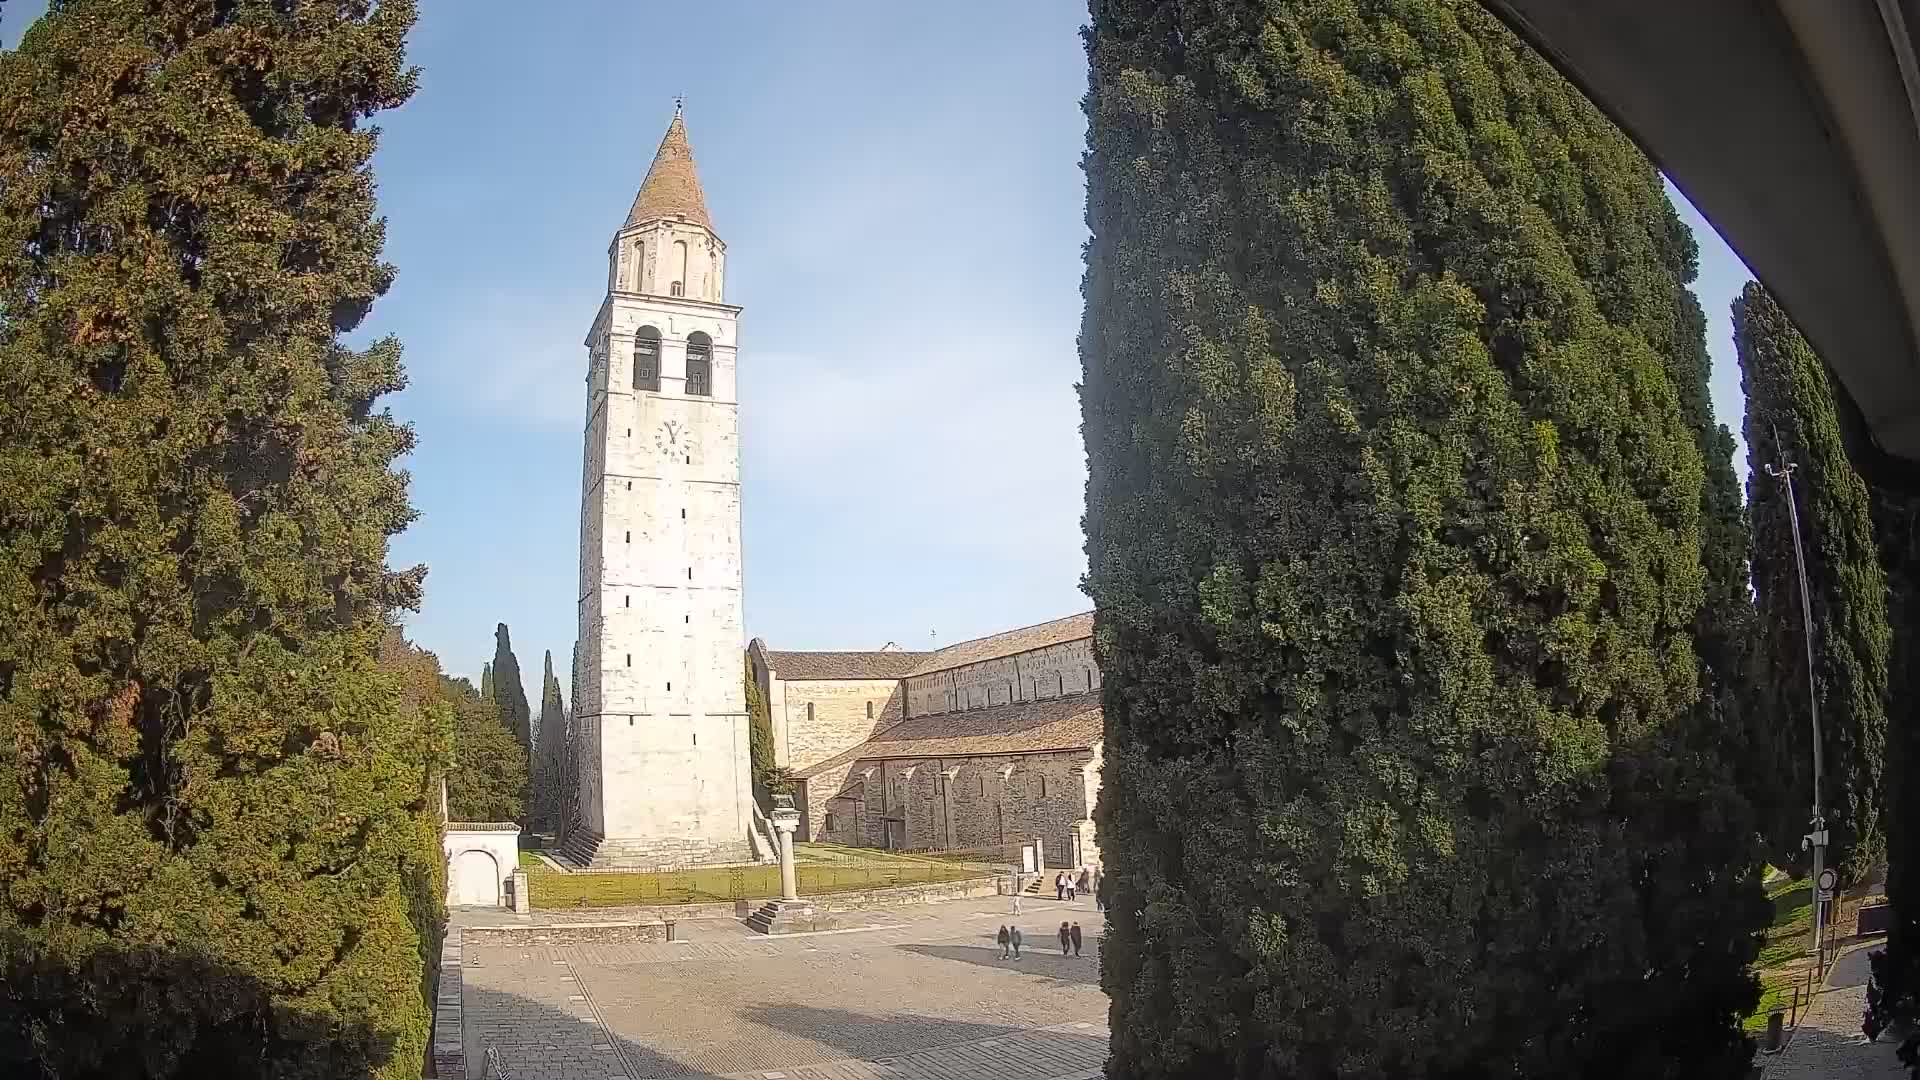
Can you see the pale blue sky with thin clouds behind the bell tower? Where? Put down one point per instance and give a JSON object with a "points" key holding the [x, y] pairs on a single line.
{"points": [[903, 207]]}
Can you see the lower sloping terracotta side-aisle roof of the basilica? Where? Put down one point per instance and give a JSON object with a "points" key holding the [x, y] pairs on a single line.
{"points": [[1024, 727]]}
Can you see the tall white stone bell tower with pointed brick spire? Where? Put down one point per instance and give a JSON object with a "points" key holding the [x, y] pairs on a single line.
{"points": [[661, 718]]}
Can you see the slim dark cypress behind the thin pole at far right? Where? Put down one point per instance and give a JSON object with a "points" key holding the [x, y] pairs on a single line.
{"points": [[1790, 414]]}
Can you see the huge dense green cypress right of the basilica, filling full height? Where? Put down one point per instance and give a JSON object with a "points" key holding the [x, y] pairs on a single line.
{"points": [[1395, 531]]}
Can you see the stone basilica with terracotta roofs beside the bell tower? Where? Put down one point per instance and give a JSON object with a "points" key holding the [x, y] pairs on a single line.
{"points": [[980, 747]]}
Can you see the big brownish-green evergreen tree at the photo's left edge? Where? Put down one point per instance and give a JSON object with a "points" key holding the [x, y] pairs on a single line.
{"points": [[212, 798]]}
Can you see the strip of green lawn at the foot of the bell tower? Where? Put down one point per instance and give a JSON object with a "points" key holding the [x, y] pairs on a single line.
{"points": [[819, 868]]}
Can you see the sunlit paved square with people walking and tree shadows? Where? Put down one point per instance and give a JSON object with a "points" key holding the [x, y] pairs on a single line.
{"points": [[923, 994]]}
